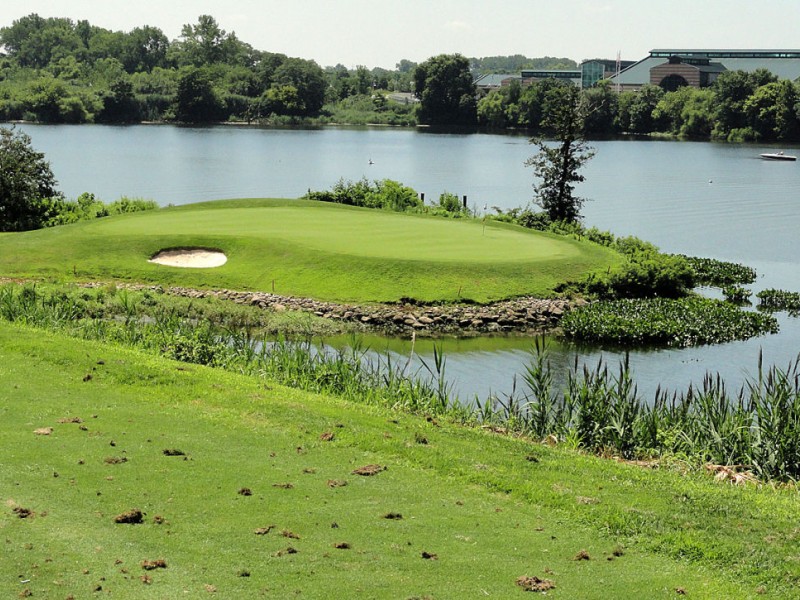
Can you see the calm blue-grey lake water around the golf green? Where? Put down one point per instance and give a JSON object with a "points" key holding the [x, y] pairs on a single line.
{"points": [[705, 199]]}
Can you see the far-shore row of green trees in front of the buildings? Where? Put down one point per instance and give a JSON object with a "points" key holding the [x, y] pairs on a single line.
{"points": [[738, 106]]}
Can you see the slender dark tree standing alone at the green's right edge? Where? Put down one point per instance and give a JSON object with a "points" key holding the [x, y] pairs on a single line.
{"points": [[557, 166]]}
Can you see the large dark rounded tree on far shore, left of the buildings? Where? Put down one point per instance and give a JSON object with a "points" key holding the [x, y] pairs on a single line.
{"points": [[446, 91]]}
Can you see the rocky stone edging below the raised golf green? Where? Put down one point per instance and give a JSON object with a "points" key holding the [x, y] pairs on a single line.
{"points": [[521, 315]]}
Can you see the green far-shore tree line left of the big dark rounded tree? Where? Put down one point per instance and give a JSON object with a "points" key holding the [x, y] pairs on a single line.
{"points": [[56, 70]]}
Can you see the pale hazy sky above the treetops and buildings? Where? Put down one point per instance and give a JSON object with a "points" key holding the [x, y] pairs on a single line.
{"points": [[377, 33]]}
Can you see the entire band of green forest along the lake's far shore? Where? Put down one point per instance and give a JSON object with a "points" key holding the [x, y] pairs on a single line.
{"points": [[56, 70]]}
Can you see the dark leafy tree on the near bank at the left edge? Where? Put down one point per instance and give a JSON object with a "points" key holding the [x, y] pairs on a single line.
{"points": [[26, 181]]}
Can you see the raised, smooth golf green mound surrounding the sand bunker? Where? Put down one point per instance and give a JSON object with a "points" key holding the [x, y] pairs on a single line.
{"points": [[312, 249]]}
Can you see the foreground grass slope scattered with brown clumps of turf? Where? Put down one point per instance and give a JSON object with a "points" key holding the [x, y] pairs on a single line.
{"points": [[478, 510]]}
